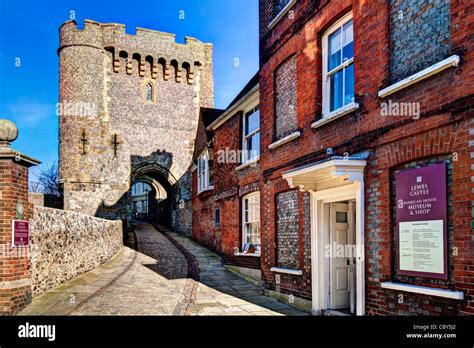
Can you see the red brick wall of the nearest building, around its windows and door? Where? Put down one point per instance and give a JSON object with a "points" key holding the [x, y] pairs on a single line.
{"points": [[446, 103]]}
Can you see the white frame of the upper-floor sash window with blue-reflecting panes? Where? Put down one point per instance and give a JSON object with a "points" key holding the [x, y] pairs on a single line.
{"points": [[326, 73]]}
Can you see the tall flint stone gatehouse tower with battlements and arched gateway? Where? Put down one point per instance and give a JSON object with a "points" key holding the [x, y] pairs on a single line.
{"points": [[129, 107]]}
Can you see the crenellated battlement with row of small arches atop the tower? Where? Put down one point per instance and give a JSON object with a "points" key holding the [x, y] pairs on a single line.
{"points": [[146, 49]]}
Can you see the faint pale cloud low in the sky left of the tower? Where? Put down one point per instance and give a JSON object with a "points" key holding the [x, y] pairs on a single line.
{"points": [[27, 113]]}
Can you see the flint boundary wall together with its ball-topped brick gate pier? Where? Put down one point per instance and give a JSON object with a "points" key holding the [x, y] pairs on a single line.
{"points": [[50, 246]]}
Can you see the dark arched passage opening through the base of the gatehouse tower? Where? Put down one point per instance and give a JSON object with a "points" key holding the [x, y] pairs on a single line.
{"points": [[151, 195]]}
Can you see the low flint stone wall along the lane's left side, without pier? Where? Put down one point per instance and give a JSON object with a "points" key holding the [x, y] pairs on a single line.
{"points": [[65, 244]]}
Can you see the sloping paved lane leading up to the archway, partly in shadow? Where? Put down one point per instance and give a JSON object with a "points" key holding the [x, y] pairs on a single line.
{"points": [[156, 281]]}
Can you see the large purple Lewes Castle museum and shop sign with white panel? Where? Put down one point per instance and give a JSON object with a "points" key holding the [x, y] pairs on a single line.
{"points": [[422, 221]]}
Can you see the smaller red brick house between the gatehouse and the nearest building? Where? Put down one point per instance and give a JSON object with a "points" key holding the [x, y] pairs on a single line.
{"points": [[226, 181]]}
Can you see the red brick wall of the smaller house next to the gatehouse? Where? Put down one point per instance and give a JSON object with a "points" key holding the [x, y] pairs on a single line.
{"points": [[229, 187]]}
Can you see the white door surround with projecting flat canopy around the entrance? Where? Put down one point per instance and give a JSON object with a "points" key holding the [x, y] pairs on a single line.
{"points": [[332, 181]]}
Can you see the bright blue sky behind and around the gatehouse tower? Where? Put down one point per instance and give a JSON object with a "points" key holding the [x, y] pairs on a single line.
{"points": [[29, 63]]}
